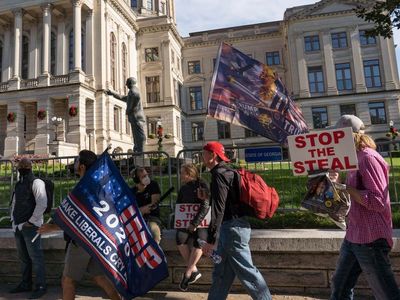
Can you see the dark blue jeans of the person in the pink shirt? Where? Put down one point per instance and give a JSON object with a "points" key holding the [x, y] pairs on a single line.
{"points": [[371, 259]]}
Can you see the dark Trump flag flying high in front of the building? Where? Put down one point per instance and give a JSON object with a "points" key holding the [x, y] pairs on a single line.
{"points": [[248, 93]]}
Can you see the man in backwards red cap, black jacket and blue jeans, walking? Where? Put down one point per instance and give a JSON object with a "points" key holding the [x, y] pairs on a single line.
{"points": [[232, 230]]}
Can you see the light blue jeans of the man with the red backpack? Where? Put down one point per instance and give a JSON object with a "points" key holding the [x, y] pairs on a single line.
{"points": [[233, 246]]}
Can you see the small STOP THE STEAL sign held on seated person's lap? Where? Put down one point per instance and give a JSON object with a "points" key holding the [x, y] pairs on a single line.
{"points": [[185, 212]]}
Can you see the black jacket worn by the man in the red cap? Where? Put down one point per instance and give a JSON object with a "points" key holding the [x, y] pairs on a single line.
{"points": [[225, 203]]}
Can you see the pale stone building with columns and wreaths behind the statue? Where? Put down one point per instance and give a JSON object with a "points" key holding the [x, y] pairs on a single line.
{"points": [[319, 50]]}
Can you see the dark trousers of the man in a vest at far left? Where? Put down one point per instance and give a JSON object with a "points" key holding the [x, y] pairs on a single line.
{"points": [[31, 256]]}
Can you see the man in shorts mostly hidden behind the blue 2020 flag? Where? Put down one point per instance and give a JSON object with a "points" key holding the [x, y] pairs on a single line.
{"points": [[77, 260]]}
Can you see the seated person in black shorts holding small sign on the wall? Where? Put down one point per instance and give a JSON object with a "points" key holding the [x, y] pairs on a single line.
{"points": [[188, 194]]}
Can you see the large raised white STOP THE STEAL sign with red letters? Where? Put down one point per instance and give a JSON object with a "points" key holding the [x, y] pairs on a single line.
{"points": [[322, 150]]}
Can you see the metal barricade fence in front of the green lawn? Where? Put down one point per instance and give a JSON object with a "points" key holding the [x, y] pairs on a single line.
{"points": [[166, 171]]}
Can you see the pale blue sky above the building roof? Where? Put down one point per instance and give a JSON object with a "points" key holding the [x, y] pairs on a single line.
{"points": [[200, 15]]}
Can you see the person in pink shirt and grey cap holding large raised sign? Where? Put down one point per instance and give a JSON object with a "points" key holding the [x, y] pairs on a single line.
{"points": [[368, 238]]}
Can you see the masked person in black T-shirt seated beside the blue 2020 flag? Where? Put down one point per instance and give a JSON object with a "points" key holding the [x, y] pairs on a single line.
{"points": [[147, 194]]}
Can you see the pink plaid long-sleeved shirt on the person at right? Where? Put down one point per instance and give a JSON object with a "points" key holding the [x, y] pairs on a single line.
{"points": [[372, 219]]}
